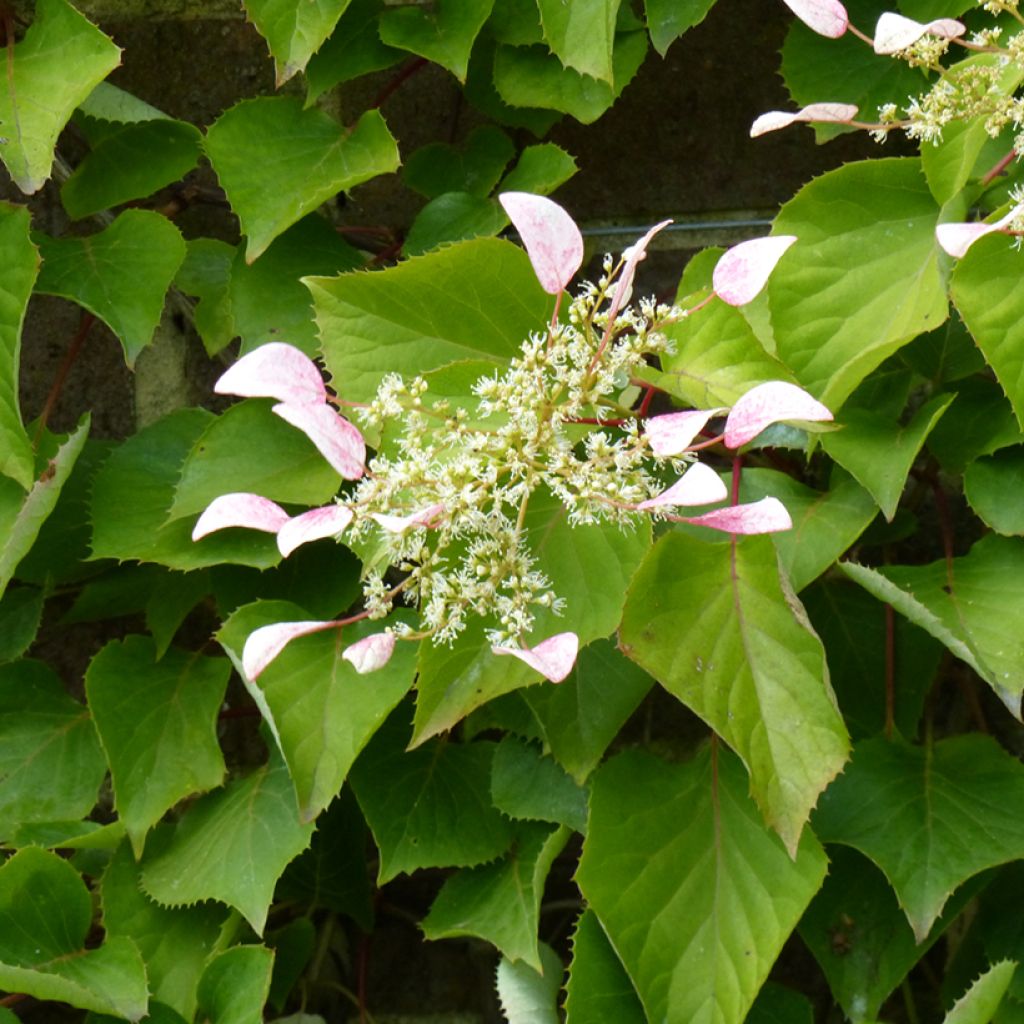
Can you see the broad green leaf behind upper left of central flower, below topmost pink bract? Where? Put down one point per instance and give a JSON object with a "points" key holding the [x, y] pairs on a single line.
{"points": [[421, 315]]}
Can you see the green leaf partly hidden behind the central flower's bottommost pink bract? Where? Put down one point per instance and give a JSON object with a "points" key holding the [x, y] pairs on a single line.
{"points": [[588, 566]]}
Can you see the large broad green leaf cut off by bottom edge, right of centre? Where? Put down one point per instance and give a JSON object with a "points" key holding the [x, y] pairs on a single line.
{"points": [[696, 894]]}
